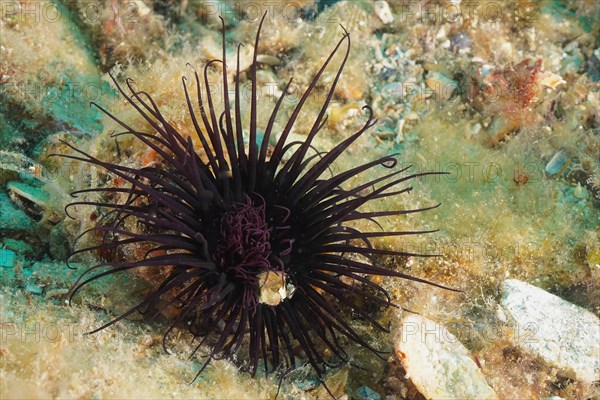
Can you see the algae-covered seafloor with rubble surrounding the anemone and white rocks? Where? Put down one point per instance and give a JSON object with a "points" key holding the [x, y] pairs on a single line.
{"points": [[502, 95]]}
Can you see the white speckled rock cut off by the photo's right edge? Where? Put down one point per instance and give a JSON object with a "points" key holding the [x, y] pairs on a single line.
{"points": [[566, 336]]}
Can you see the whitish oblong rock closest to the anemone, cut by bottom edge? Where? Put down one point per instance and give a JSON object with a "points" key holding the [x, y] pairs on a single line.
{"points": [[439, 365]]}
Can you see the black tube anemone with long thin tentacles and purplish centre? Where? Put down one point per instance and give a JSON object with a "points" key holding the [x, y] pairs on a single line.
{"points": [[236, 227]]}
